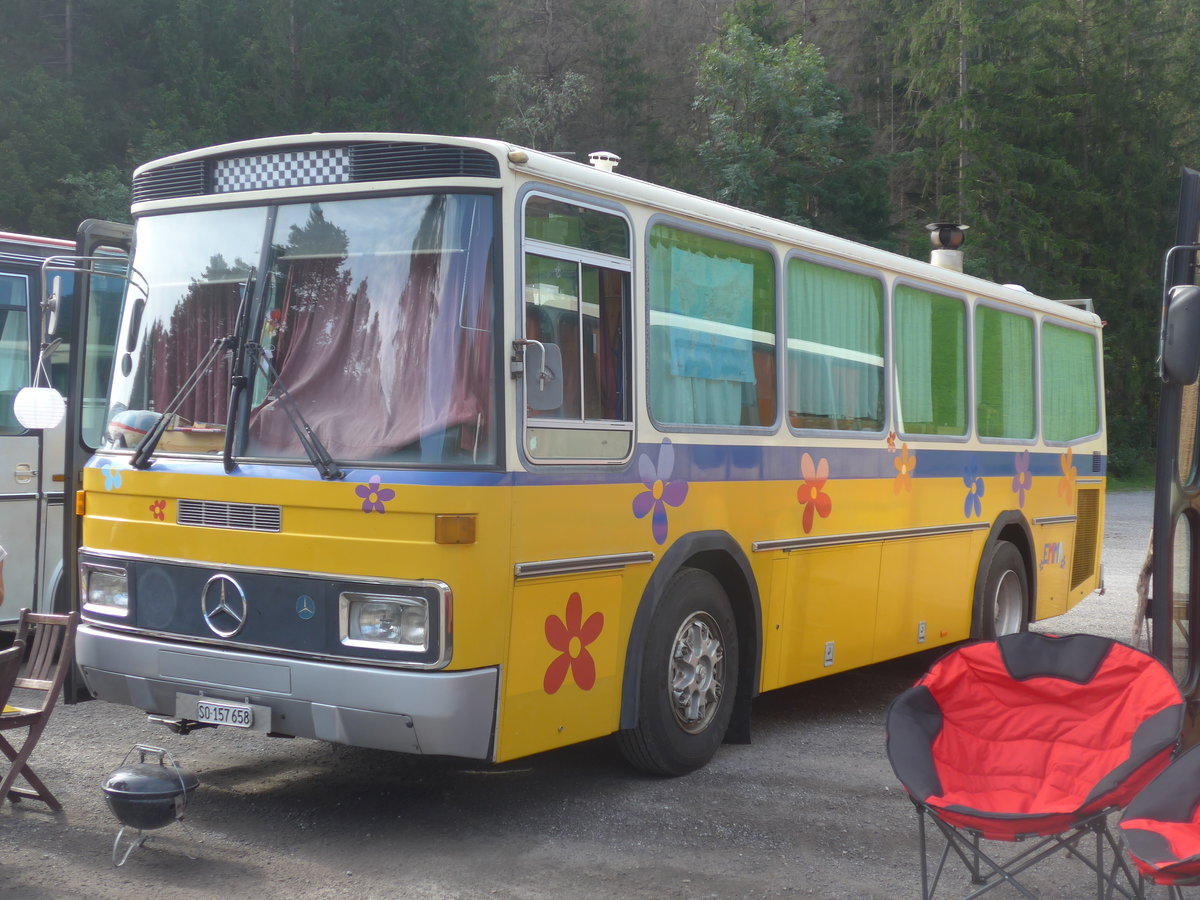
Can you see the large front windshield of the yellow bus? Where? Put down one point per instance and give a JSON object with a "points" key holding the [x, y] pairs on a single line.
{"points": [[369, 321]]}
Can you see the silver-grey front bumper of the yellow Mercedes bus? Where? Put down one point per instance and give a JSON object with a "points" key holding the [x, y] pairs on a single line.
{"points": [[434, 713]]}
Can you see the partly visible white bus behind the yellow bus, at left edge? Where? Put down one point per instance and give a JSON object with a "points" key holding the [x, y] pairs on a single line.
{"points": [[38, 274]]}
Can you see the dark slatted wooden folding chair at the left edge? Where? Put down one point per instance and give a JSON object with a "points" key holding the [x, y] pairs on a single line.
{"points": [[51, 640]]}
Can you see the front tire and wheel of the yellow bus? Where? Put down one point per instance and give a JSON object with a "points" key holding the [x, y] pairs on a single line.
{"points": [[689, 679]]}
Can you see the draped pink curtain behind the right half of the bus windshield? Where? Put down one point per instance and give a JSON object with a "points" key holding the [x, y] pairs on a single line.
{"points": [[380, 364]]}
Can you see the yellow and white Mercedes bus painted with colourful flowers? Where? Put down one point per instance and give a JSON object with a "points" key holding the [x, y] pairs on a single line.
{"points": [[449, 447]]}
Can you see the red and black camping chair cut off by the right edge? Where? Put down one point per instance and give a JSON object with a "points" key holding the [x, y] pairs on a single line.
{"points": [[1161, 826]]}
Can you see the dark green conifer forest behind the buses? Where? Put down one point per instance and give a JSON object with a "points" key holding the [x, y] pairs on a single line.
{"points": [[1055, 129]]}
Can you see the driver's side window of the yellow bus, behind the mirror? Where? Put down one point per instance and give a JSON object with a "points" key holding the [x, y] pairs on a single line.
{"points": [[578, 299]]}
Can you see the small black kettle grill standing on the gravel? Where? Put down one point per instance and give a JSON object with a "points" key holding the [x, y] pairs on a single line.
{"points": [[147, 796]]}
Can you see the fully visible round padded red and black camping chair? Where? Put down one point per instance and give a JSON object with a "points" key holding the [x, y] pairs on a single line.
{"points": [[1033, 737]]}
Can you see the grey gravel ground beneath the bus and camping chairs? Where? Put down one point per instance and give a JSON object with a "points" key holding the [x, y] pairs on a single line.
{"points": [[811, 809]]}
